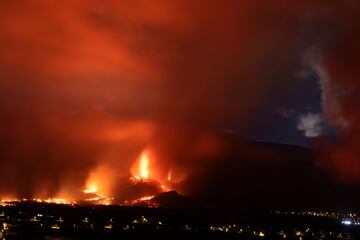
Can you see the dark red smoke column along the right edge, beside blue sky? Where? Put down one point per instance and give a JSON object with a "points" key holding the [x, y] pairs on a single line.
{"points": [[342, 98]]}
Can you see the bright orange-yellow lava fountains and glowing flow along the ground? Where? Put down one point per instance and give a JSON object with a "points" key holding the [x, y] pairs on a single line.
{"points": [[145, 174]]}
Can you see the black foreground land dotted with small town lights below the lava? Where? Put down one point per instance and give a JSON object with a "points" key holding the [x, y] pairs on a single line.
{"points": [[29, 220]]}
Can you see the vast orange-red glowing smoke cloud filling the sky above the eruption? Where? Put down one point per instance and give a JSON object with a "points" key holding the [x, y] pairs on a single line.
{"points": [[92, 83]]}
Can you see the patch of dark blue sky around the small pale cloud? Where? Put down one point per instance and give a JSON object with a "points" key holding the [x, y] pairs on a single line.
{"points": [[280, 116]]}
